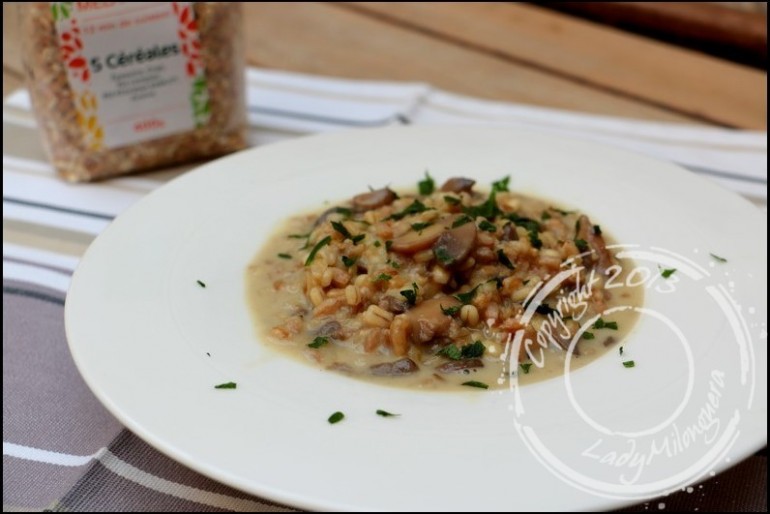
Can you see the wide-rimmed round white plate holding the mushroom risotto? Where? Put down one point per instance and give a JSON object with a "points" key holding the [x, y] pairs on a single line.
{"points": [[140, 328]]}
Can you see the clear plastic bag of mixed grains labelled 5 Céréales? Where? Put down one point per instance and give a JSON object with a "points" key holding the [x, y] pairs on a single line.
{"points": [[124, 87]]}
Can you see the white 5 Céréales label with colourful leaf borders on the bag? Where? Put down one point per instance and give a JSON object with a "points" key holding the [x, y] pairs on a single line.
{"points": [[134, 68]]}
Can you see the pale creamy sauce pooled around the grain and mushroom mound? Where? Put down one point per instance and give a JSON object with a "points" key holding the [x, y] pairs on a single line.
{"points": [[276, 283]]}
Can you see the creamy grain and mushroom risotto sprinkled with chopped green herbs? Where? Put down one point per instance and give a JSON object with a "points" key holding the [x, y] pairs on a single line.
{"points": [[441, 288]]}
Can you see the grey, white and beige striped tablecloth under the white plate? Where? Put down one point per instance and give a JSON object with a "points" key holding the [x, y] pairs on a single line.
{"points": [[63, 451]]}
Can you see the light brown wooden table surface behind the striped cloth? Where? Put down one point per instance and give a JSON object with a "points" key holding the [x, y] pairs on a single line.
{"points": [[502, 51]]}
